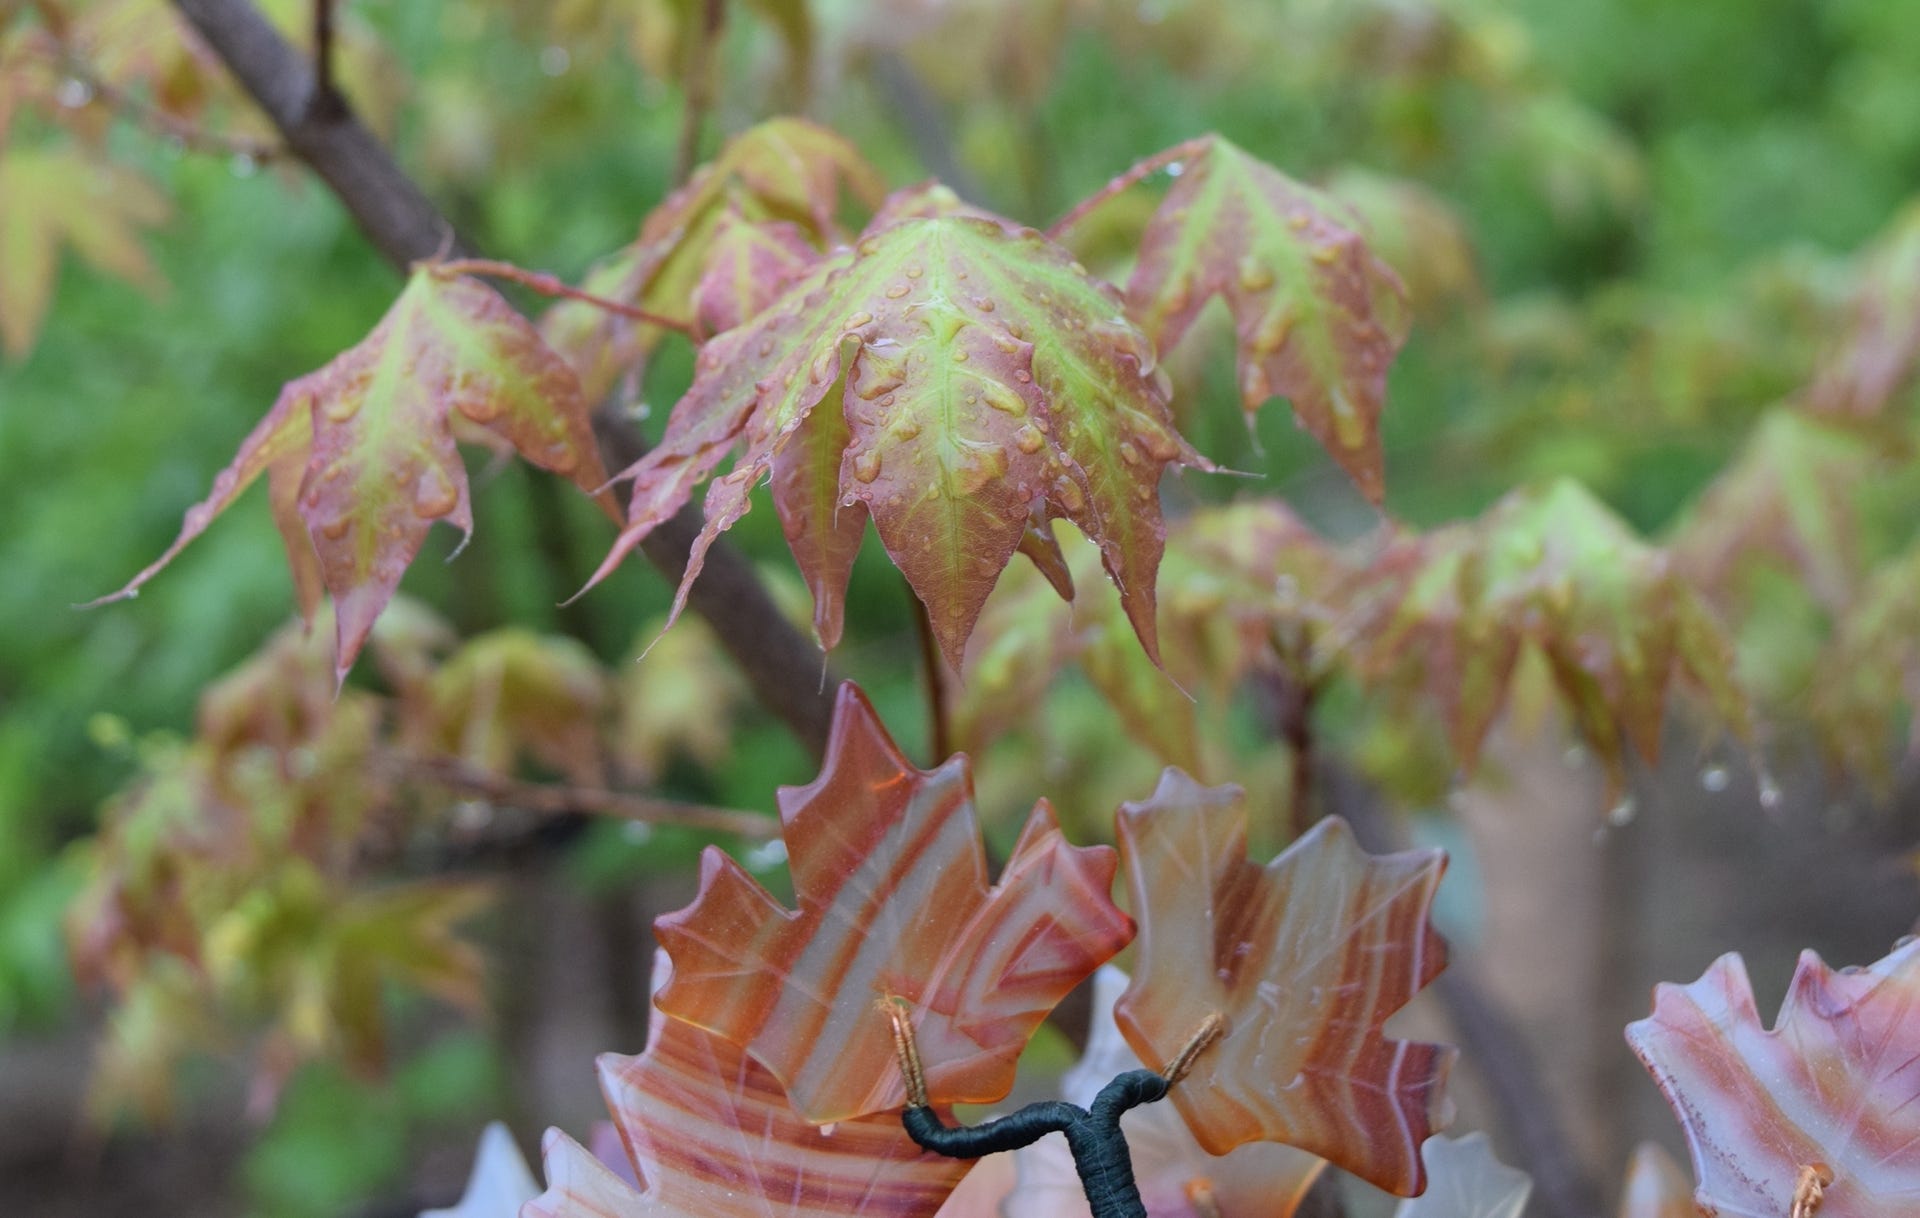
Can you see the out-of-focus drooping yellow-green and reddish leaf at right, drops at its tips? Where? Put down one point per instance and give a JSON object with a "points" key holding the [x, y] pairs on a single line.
{"points": [[1447, 614]]}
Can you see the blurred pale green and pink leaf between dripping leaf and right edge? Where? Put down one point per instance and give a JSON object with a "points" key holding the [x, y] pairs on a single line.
{"points": [[1790, 493]]}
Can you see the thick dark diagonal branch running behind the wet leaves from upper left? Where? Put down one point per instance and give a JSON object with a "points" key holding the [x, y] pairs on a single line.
{"points": [[784, 670]]}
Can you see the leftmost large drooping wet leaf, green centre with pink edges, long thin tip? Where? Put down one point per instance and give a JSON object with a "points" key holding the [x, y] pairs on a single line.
{"points": [[360, 456]]}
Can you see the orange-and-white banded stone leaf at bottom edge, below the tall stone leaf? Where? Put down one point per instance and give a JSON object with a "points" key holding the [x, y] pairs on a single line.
{"points": [[713, 1136]]}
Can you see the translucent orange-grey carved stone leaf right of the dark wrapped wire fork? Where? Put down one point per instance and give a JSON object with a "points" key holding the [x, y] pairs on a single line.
{"points": [[1305, 960]]}
